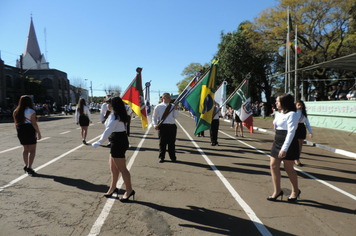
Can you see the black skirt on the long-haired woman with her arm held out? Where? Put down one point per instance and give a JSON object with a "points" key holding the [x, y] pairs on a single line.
{"points": [[119, 144]]}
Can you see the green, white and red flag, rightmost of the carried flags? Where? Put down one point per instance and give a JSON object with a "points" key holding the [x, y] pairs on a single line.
{"points": [[241, 102]]}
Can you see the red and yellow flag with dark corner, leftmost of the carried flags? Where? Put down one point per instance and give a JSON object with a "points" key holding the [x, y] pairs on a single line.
{"points": [[133, 96]]}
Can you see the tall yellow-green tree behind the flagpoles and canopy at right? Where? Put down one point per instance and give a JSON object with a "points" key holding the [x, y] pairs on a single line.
{"points": [[323, 34]]}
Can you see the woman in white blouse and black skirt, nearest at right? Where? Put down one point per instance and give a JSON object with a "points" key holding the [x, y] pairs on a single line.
{"points": [[285, 147]]}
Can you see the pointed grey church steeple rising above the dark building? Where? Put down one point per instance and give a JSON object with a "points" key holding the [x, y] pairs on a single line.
{"points": [[32, 57]]}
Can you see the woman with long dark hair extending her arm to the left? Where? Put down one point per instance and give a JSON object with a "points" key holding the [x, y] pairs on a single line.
{"points": [[116, 132]]}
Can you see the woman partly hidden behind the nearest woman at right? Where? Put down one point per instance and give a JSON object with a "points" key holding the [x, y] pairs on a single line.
{"points": [[301, 132]]}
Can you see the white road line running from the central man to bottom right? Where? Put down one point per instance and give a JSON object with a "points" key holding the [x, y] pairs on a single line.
{"points": [[250, 213]]}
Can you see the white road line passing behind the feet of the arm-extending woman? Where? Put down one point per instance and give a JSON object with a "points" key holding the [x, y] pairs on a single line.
{"points": [[95, 230]]}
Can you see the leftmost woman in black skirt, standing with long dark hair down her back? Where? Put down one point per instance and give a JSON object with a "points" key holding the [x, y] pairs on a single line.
{"points": [[27, 131]]}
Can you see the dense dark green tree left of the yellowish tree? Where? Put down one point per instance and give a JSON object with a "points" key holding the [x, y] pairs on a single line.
{"points": [[238, 58]]}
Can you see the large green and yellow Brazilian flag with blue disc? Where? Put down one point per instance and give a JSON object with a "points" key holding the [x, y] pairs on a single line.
{"points": [[201, 99]]}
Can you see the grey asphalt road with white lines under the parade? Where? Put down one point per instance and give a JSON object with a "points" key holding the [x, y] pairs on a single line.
{"points": [[210, 190]]}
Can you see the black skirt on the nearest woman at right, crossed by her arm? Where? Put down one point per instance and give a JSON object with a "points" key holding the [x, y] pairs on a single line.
{"points": [[293, 150]]}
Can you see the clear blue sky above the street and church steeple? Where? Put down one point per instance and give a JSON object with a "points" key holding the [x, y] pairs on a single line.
{"points": [[105, 41]]}
